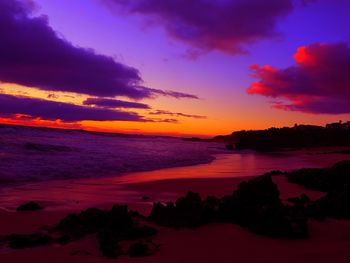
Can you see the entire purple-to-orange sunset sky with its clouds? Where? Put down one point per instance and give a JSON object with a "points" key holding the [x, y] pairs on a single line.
{"points": [[174, 67]]}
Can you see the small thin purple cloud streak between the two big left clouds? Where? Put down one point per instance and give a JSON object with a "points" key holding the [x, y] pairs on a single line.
{"points": [[113, 103]]}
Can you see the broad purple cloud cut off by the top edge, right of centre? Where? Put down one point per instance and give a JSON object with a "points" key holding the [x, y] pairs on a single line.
{"points": [[205, 25]]}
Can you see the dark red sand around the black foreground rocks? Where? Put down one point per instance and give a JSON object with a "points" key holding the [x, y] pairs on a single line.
{"points": [[329, 241]]}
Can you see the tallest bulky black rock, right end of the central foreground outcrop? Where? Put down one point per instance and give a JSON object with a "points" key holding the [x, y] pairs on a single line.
{"points": [[256, 205]]}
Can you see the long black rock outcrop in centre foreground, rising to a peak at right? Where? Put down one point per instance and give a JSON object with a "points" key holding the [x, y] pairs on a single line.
{"points": [[255, 205]]}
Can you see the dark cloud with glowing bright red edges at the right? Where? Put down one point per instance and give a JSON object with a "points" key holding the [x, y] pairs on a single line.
{"points": [[318, 82]]}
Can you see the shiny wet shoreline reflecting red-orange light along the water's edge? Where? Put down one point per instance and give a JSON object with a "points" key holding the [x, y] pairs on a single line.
{"points": [[80, 193]]}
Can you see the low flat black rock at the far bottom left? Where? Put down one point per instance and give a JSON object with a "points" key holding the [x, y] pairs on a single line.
{"points": [[18, 241]]}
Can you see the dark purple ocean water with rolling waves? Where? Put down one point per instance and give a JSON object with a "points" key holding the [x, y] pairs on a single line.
{"points": [[32, 154]]}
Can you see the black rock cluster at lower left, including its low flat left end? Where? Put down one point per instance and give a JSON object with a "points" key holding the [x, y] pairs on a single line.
{"points": [[110, 227]]}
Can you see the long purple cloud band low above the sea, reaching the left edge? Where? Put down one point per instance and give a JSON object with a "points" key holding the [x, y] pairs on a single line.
{"points": [[52, 110]]}
